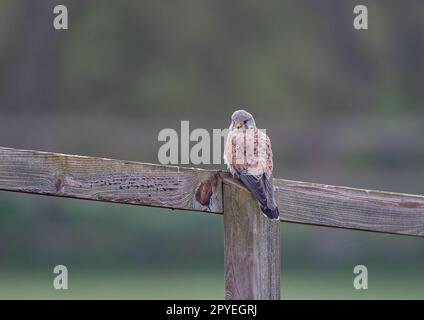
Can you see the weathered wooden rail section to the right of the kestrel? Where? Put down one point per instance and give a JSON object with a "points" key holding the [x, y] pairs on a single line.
{"points": [[344, 207]]}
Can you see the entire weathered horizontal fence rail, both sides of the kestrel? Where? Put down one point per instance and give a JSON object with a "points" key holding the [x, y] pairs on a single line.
{"points": [[201, 190]]}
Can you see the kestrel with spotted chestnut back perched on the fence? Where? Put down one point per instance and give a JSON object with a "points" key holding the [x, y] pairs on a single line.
{"points": [[248, 156]]}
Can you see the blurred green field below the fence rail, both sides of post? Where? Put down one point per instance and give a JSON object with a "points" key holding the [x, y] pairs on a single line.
{"points": [[128, 252]]}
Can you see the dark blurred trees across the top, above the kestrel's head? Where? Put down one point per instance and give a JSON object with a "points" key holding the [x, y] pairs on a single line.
{"points": [[157, 57]]}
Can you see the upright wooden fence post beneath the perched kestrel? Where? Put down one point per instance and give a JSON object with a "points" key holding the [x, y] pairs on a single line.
{"points": [[252, 248]]}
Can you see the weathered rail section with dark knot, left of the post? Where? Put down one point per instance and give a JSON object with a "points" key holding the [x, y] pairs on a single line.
{"points": [[109, 180]]}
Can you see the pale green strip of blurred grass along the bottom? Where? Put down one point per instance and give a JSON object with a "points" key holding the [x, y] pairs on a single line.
{"points": [[131, 285]]}
